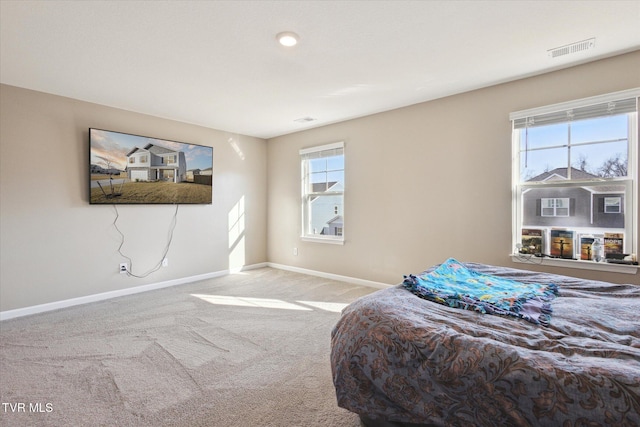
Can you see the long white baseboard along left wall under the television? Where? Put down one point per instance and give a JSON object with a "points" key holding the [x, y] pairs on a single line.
{"points": [[41, 308]]}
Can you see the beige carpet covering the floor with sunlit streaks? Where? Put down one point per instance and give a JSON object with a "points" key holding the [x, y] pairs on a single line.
{"points": [[248, 349]]}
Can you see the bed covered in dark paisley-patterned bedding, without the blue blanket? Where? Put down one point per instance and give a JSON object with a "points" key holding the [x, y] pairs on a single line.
{"points": [[400, 360]]}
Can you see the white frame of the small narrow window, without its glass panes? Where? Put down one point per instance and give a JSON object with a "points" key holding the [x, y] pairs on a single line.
{"points": [[305, 155]]}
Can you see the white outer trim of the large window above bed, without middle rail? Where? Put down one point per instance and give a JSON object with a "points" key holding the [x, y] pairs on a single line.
{"points": [[630, 220]]}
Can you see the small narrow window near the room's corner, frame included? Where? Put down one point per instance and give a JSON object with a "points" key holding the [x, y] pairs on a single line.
{"points": [[323, 193]]}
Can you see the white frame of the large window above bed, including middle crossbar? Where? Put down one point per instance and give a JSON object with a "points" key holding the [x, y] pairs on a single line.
{"points": [[630, 182]]}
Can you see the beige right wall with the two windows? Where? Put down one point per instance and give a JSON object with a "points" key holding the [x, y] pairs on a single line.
{"points": [[427, 182]]}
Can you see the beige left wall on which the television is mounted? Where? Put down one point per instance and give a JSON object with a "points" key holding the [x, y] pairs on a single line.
{"points": [[55, 246]]}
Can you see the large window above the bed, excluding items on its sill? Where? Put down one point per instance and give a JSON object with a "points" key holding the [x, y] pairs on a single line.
{"points": [[575, 168]]}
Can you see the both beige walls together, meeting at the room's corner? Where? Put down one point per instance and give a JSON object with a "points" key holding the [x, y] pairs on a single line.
{"points": [[424, 183]]}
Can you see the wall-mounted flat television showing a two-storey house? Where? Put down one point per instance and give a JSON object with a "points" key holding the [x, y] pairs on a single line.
{"points": [[134, 169]]}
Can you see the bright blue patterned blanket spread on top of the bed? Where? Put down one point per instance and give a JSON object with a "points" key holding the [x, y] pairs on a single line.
{"points": [[457, 286]]}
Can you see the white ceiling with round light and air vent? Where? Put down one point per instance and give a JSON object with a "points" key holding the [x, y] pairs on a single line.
{"points": [[217, 63]]}
